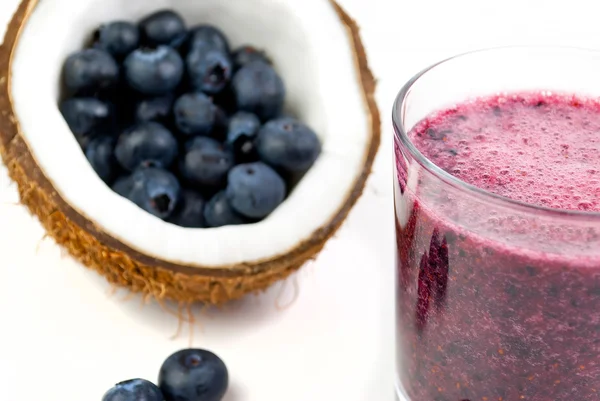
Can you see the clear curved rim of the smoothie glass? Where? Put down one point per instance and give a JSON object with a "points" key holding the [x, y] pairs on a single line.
{"points": [[401, 135]]}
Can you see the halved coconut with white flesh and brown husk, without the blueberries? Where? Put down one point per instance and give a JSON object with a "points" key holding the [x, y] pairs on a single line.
{"points": [[316, 48]]}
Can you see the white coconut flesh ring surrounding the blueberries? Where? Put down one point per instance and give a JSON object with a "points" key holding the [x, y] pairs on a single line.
{"points": [[310, 48]]}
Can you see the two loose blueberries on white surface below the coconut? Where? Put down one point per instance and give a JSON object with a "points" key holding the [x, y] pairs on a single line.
{"points": [[187, 375]]}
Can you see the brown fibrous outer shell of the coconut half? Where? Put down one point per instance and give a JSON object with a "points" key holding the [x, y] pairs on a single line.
{"points": [[129, 268]]}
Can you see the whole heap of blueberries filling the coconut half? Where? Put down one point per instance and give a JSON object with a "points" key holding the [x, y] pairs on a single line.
{"points": [[181, 125]]}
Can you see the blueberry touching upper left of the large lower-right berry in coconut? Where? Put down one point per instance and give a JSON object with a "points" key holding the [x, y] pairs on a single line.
{"points": [[206, 162]]}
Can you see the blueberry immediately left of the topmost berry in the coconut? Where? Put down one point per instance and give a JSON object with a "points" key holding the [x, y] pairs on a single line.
{"points": [[119, 38]]}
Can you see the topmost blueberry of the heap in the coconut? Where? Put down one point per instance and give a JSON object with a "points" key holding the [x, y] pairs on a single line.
{"points": [[162, 27]]}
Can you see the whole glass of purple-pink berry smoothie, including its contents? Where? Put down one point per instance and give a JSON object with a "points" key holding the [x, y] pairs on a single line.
{"points": [[497, 208]]}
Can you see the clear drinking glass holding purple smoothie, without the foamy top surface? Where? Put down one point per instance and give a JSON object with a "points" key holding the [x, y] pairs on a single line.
{"points": [[497, 300]]}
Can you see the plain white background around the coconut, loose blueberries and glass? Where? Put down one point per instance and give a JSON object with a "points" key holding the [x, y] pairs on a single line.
{"points": [[63, 336]]}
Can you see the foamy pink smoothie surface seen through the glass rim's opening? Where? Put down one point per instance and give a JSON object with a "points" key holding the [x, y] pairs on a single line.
{"points": [[542, 150]]}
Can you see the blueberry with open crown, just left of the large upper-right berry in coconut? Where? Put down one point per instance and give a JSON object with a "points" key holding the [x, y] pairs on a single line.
{"points": [[209, 70]]}
